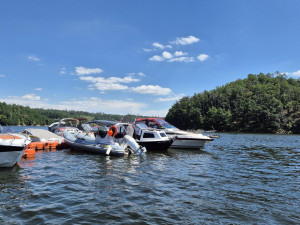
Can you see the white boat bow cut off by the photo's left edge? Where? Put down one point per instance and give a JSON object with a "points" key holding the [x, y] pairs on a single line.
{"points": [[12, 147]]}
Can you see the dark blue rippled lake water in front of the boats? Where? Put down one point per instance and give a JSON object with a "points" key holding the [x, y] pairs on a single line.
{"points": [[237, 179]]}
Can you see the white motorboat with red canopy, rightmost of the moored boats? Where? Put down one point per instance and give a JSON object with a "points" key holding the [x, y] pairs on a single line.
{"points": [[183, 139]]}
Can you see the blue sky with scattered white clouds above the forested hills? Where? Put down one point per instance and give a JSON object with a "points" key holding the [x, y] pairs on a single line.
{"points": [[139, 57]]}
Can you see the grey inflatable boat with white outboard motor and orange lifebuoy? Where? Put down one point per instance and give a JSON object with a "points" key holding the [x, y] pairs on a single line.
{"points": [[110, 138]]}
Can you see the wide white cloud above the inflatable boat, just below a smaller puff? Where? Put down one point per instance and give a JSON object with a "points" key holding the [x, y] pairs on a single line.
{"points": [[108, 84]]}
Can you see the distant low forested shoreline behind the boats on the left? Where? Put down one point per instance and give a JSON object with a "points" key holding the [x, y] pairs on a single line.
{"points": [[23, 115]]}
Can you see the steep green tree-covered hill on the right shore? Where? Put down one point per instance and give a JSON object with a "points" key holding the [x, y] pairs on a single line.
{"points": [[259, 103]]}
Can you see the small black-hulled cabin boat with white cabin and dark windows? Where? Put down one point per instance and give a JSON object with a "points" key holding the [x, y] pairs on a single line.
{"points": [[152, 139]]}
